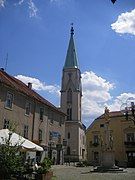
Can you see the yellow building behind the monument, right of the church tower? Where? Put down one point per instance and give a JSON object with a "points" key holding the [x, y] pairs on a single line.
{"points": [[122, 139]]}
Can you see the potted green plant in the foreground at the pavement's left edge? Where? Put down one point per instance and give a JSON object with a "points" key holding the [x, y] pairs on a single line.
{"points": [[43, 171]]}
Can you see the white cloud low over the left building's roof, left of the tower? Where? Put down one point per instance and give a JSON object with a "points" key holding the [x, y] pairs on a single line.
{"points": [[38, 85]]}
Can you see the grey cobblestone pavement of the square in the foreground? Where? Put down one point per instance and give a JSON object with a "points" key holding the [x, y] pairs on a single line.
{"points": [[63, 172]]}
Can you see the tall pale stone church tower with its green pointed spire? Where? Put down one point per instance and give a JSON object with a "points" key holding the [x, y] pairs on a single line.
{"points": [[71, 94]]}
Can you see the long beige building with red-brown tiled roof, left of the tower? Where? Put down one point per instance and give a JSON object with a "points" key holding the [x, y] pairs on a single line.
{"points": [[33, 117]]}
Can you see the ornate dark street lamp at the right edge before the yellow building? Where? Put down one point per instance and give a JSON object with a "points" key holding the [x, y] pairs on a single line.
{"points": [[128, 109]]}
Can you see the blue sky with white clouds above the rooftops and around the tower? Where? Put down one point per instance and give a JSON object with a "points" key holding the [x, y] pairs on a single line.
{"points": [[34, 37]]}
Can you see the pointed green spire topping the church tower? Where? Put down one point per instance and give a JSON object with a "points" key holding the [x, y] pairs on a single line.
{"points": [[71, 58]]}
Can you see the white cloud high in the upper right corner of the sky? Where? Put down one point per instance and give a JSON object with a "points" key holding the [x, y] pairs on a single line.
{"points": [[125, 23]]}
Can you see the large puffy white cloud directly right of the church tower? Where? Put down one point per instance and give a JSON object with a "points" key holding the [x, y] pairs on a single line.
{"points": [[95, 95]]}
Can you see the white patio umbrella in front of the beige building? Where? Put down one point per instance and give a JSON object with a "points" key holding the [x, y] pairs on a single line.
{"points": [[17, 140]]}
